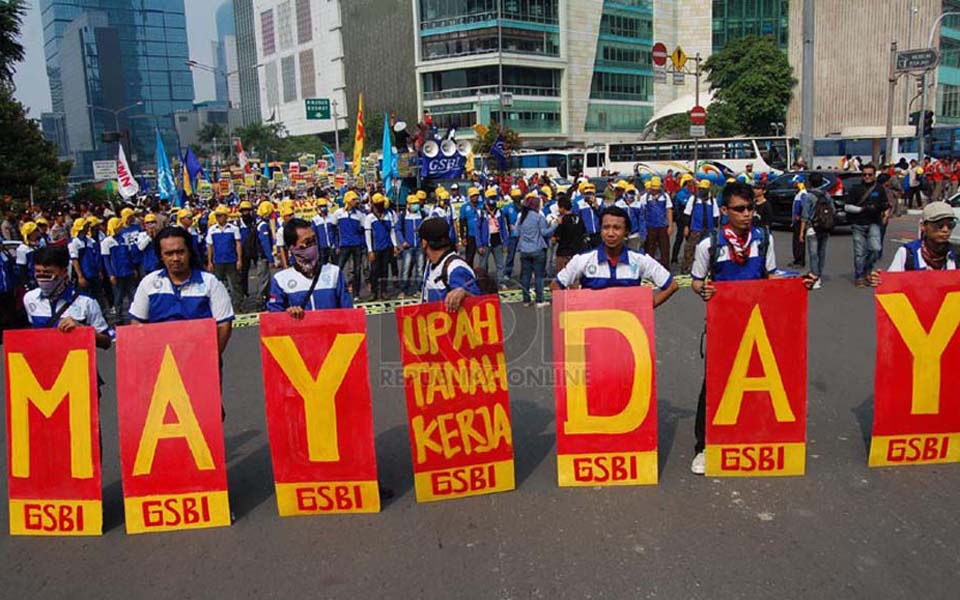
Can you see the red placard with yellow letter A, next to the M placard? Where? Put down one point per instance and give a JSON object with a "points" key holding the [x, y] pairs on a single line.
{"points": [[171, 433]]}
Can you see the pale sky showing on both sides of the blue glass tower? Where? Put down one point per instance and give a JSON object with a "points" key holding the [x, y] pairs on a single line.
{"points": [[33, 89]]}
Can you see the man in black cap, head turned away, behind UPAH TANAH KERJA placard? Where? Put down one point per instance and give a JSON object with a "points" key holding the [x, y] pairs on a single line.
{"points": [[447, 277]]}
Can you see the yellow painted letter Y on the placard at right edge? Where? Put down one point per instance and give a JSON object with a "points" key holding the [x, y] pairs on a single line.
{"points": [[926, 348]]}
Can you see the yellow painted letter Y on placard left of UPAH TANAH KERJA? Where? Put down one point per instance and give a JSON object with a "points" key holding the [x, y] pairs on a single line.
{"points": [[320, 411]]}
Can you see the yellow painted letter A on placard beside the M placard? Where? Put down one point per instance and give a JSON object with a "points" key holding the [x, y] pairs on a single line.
{"points": [[169, 391]]}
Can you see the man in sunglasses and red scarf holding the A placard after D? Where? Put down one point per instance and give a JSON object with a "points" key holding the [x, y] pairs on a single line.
{"points": [[738, 251]]}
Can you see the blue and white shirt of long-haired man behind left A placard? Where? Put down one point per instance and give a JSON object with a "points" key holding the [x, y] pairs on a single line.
{"points": [[158, 300]]}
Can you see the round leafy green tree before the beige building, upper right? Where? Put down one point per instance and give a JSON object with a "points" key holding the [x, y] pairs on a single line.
{"points": [[753, 82]]}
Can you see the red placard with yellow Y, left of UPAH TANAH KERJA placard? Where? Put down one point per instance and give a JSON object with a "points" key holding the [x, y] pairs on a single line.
{"points": [[319, 413]]}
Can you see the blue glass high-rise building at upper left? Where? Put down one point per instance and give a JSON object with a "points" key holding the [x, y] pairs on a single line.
{"points": [[117, 65]]}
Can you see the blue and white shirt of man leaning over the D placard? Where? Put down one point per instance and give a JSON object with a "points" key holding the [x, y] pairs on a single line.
{"points": [[594, 270]]}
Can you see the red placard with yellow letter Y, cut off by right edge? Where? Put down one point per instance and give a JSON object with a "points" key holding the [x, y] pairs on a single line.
{"points": [[916, 410]]}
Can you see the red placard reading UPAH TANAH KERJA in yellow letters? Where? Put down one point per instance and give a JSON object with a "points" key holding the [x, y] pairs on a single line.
{"points": [[458, 404]]}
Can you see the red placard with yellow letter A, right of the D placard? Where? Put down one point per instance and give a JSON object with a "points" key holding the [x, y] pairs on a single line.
{"points": [[757, 378]]}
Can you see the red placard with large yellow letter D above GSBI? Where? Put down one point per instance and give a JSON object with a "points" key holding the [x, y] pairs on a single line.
{"points": [[603, 345]]}
